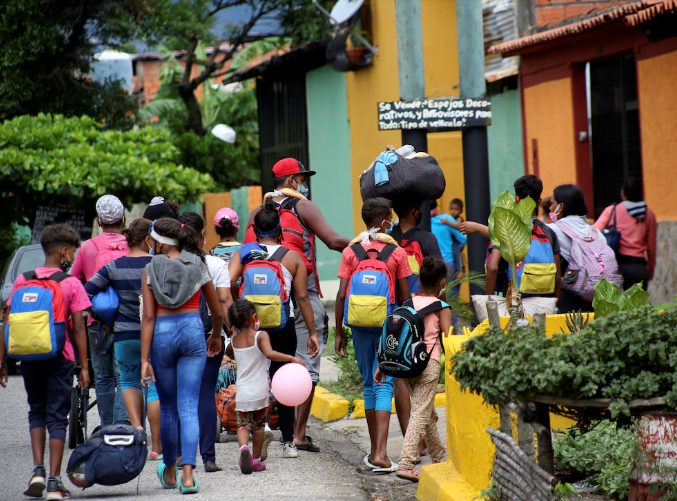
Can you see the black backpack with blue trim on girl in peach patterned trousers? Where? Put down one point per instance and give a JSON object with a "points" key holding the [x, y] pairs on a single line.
{"points": [[402, 352]]}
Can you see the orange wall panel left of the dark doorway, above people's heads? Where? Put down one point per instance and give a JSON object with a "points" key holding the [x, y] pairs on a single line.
{"points": [[549, 119]]}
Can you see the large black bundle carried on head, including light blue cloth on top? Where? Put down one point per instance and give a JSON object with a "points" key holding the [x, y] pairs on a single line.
{"points": [[403, 174]]}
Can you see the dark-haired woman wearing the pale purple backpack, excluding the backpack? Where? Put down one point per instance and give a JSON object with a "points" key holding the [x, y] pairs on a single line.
{"points": [[568, 206]]}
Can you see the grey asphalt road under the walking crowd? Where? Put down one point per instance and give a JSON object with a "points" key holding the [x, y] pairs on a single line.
{"points": [[333, 474]]}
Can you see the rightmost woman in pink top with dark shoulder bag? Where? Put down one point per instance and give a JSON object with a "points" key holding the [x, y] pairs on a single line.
{"points": [[636, 254]]}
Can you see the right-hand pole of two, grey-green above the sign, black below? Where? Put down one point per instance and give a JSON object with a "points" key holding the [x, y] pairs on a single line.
{"points": [[470, 33]]}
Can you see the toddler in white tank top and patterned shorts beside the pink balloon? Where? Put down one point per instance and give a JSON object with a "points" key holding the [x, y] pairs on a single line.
{"points": [[251, 349]]}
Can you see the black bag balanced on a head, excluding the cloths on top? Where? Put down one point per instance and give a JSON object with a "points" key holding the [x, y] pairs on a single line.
{"points": [[418, 178]]}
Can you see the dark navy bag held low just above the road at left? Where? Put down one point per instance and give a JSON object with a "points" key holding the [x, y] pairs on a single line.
{"points": [[114, 454]]}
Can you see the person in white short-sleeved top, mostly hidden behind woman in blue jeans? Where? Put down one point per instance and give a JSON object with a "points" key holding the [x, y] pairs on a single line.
{"points": [[207, 403]]}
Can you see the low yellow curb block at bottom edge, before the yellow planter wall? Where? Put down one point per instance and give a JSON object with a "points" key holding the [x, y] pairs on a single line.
{"points": [[442, 482]]}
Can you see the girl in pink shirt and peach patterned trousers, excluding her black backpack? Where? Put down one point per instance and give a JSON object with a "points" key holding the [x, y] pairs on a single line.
{"points": [[423, 420]]}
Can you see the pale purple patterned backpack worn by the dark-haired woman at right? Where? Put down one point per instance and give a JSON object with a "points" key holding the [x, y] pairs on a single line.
{"points": [[591, 261]]}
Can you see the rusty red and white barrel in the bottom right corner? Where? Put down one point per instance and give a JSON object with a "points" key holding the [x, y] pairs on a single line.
{"points": [[656, 456]]}
